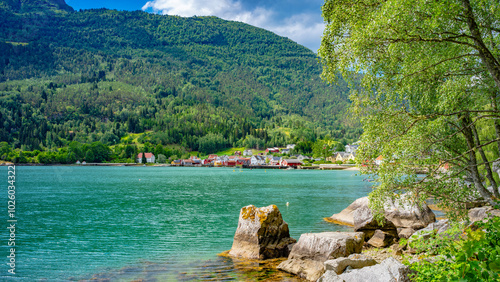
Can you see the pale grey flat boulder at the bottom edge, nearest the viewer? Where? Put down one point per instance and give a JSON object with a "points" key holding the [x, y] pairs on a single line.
{"points": [[388, 270]]}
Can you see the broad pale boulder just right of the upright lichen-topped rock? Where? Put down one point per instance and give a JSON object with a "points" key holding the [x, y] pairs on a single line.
{"points": [[311, 251]]}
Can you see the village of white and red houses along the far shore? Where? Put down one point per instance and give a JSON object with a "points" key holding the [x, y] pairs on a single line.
{"points": [[274, 157]]}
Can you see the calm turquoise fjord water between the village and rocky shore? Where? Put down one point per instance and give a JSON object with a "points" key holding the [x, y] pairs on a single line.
{"points": [[128, 223]]}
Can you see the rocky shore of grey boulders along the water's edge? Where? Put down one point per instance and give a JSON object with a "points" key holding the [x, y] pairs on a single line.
{"points": [[373, 252]]}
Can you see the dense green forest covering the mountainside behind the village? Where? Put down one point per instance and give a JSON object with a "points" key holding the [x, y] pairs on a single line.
{"points": [[74, 80]]}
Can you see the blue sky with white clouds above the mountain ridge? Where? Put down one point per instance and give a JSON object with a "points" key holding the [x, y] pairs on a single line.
{"points": [[298, 20]]}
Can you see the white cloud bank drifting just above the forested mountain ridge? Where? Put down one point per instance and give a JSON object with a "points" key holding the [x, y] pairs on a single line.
{"points": [[306, 29]]}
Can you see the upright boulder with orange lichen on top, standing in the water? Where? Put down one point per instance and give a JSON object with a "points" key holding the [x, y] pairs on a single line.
{"points": [[261, 234]]}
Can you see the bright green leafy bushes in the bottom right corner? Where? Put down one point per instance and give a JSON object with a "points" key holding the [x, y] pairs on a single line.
{"points": [[474, 256]]}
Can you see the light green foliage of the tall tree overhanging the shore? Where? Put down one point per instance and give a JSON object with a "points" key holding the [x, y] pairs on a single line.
{"points": [[428, 94]]}
